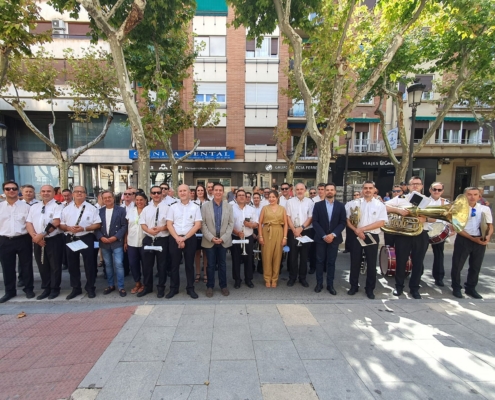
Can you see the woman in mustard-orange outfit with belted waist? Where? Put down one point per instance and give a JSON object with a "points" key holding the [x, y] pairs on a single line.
{"points": [[273, 219]]}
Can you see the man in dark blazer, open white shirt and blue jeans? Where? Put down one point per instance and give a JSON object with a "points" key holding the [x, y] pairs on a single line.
{"points": [[111, 238]]}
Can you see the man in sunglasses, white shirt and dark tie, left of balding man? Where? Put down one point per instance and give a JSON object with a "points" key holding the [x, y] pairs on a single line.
{"points": [[153, 220]]}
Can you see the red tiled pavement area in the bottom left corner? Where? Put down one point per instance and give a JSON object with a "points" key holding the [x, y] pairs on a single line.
{"points": [[46, 356]]}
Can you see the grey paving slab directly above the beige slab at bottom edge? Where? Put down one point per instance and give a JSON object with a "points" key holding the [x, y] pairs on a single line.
{"points": [[279, 362]]}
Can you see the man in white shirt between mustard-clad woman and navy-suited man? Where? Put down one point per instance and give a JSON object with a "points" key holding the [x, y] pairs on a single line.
{"points": [[299, 217]]}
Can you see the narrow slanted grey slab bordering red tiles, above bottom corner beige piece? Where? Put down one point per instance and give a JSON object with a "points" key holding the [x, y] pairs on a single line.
{"points": [[101, 371]]}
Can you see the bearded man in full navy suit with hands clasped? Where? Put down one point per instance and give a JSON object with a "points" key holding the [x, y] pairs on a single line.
{"points": [[329, 220]]}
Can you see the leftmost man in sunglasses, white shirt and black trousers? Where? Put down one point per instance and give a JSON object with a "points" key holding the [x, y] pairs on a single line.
{"points": [[15, 242]]}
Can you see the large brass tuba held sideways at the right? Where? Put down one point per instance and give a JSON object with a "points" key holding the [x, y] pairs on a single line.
{"points": [[456, 213]]}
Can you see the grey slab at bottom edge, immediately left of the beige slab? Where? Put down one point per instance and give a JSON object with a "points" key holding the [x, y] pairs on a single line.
{"points": [[232, 380]]}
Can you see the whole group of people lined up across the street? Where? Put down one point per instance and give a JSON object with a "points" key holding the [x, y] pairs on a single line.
{"points": [[167, 231]]}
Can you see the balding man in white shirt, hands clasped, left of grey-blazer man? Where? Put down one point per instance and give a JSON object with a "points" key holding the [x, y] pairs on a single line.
{"points": [[183, 221]]}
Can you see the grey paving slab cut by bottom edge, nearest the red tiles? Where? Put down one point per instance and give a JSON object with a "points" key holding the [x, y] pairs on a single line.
{"points": [[132, 380]]}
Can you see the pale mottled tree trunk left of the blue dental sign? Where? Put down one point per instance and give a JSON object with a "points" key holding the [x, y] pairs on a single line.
{"points": [[132, 113]]}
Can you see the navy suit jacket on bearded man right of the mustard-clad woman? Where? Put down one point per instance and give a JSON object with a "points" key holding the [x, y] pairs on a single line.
{"points": [[337, 222]]}
